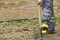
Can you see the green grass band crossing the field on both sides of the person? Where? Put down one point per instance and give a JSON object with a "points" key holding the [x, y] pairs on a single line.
{"points": [[26, 21]]}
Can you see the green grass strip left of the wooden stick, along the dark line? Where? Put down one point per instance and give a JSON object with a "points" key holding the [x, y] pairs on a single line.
{"points": [[14, 22]]}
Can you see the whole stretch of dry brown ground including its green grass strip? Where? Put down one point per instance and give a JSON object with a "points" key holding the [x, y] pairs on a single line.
{"points": [[22, 23]]}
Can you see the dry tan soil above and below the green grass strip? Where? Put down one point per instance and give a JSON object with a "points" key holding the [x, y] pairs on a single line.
{"points": [[10, 11]]}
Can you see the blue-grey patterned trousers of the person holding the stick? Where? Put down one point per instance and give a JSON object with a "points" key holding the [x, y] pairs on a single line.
{"points": [[48, 14]]}
